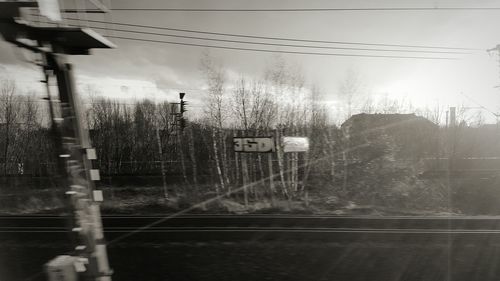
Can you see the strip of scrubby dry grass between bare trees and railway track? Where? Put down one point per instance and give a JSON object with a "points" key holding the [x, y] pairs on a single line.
{"points": [[150, 200]]}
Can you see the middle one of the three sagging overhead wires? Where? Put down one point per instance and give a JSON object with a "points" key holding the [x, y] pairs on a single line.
{"points": [[271, 44]]}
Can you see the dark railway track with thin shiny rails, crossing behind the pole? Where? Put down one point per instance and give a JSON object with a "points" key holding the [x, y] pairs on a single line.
{"points": [[267, 227]]}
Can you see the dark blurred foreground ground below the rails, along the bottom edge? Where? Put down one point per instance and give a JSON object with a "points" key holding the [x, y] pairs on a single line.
{"points": [[256, 260]]}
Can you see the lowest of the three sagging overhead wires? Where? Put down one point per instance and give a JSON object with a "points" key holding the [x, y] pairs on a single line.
{"points": [[280, 51]]}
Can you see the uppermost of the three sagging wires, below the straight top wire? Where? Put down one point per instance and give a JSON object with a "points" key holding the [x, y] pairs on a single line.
{"points": [[279, 38]]}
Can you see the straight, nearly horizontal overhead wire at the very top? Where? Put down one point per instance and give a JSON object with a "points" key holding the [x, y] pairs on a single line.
{"points": [[374, 9]]}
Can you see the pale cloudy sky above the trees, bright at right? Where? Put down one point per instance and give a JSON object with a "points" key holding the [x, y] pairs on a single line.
{"points": [[140, 69]]}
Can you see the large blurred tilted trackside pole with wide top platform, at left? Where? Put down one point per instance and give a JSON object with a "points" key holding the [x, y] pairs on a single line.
{"points": [[88, 259]]}
